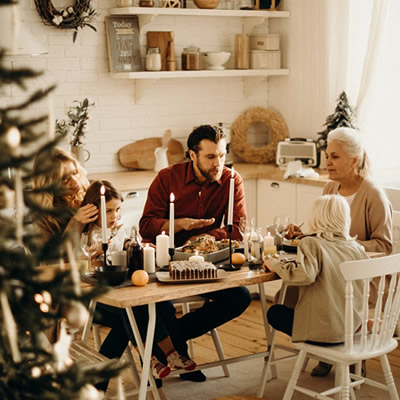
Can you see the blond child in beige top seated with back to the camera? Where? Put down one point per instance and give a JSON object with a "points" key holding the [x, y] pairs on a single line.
{"points": [[319, 313]]}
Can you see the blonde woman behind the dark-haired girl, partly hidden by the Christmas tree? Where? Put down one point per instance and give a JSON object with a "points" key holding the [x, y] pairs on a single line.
{"points": [[63, 170]]}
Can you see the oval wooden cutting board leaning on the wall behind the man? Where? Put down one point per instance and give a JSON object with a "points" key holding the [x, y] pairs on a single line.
{"points": [[140, 154]]}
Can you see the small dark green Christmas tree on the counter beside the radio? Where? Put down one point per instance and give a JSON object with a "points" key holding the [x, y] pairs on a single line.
{"points": [[342, 117]]}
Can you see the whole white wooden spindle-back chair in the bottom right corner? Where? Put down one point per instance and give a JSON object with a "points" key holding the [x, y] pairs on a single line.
{"points": [[362, 345]]}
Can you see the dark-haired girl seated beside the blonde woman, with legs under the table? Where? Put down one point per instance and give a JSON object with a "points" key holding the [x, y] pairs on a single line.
{"points": [[117, 341]]}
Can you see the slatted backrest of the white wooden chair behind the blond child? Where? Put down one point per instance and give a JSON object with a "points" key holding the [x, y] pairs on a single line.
{"points": [[386, 309]]}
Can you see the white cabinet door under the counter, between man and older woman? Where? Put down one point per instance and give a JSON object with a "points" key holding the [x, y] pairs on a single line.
{"points": [[274, 198]]}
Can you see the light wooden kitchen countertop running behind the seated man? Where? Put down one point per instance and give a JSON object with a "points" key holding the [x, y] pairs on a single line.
{"points": [[135, 180]]}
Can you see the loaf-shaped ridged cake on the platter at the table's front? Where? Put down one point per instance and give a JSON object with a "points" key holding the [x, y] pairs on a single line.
{"points": [[181, 270]]}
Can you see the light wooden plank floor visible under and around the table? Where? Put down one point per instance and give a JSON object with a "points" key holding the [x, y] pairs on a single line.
{"points": [[245, 335]]}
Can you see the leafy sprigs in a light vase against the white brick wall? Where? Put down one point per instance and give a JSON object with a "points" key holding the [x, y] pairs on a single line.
{"points": [[76, 126]]}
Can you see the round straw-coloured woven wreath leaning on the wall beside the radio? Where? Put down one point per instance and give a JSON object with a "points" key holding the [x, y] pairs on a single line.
{"points": [[276, 126]]}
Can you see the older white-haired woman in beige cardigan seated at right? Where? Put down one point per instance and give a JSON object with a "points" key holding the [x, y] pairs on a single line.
{"points": [[371, 212]]}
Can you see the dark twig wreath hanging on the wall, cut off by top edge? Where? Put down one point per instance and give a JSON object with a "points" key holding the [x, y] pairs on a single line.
{"points": [[72, 17]]}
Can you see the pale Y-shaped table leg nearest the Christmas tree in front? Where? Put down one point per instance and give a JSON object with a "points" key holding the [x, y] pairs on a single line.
{"points": [[145, 351]]}
